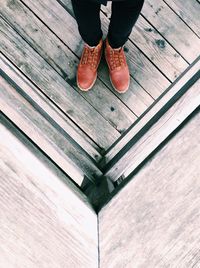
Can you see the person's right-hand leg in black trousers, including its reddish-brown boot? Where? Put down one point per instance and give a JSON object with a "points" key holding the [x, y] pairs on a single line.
{"points": [[123, 18]]}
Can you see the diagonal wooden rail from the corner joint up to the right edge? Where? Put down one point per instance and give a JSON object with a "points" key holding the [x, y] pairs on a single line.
{"points": [[175, 109]]}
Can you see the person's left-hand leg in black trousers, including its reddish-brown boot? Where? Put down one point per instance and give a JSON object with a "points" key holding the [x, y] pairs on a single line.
{"points": [[87, 15]]}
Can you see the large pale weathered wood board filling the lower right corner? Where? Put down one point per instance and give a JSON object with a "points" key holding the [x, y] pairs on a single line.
{"points": [[154, 220]]}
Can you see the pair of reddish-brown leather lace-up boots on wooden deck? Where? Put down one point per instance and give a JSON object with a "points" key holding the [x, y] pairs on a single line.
{"points": [[89, 62]]}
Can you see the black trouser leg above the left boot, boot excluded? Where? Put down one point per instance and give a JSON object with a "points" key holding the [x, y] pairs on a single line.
{"points": [[87, 15]]}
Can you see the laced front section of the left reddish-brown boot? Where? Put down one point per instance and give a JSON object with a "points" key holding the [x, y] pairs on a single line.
{"points": [[90, 57]]}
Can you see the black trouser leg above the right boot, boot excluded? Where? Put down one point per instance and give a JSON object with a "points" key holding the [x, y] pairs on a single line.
{"points": [[124, 16]]}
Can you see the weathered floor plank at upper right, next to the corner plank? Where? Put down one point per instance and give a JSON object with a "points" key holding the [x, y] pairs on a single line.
{"points": [[172, 28]]}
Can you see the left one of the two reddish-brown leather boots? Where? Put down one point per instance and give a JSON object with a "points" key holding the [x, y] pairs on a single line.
{"points": [[87, 68]]}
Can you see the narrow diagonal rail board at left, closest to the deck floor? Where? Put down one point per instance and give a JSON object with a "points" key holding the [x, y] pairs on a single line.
{"points": [[46, 105]]}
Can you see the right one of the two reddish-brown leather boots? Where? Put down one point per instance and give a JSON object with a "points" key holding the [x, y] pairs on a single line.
{"points": [[118, 68]]}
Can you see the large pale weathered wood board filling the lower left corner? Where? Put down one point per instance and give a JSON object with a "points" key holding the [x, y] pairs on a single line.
{"points": [[43, 223]]}
